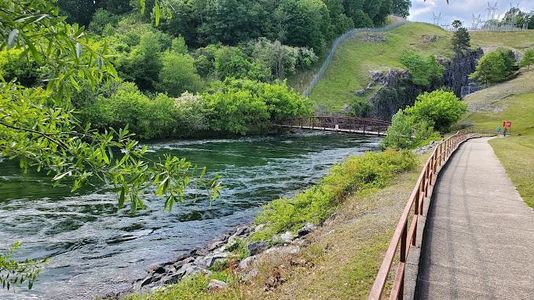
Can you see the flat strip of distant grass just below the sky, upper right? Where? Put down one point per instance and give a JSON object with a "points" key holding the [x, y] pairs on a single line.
{"points": [[519, 40]]}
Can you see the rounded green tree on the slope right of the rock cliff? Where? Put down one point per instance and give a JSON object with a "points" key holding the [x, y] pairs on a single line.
{"points": [[496, 66]]}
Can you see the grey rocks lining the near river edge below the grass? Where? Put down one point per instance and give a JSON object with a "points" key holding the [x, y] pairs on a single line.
{"points": [[220, 252]]}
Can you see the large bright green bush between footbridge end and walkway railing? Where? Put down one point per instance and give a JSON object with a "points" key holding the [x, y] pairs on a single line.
{"points": [[416, 125]]}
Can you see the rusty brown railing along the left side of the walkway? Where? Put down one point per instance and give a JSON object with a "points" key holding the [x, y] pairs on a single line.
{"points": [[405, 233]]}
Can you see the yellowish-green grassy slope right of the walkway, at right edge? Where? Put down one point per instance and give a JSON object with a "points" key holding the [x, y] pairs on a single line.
{"points": [[514, 101]]}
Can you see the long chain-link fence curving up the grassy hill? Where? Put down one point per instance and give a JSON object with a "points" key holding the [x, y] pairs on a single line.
{"points": [[397, 22]]}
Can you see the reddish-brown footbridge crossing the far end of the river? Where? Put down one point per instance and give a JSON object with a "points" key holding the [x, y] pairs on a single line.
{"points": [[367, 126]]}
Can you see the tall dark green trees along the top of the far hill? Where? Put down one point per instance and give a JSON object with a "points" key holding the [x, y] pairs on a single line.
{"points": [[309, 23]]}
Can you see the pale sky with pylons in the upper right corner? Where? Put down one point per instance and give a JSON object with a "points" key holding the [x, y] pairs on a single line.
{"points": [[461, 9]]}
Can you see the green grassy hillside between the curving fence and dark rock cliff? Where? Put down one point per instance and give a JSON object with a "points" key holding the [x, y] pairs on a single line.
{"points": [[350, 68]]}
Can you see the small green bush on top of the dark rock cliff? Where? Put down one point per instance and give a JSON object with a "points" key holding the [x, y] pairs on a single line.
{"points": [[423, 70]]}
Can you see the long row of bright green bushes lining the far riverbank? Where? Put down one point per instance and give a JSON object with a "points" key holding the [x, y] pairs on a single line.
{"points": [[230, 107]]}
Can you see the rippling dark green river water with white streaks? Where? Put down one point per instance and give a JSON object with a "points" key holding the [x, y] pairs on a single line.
{"points": [[94, 248]]}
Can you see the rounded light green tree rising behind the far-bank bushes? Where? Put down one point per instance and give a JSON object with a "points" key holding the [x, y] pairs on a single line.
{"points": [[178, 74]]}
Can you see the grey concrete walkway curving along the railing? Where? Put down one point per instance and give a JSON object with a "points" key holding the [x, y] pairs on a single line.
{"points": [[479, 236]]}
